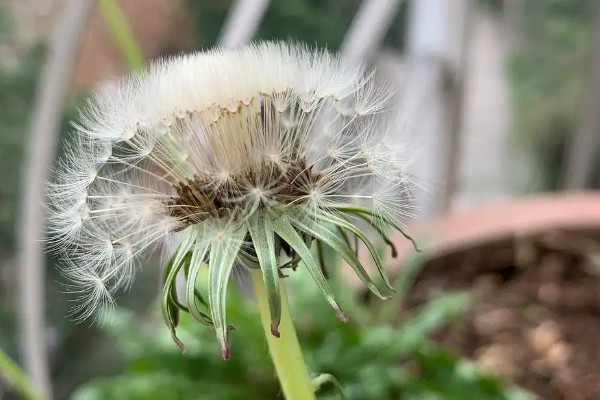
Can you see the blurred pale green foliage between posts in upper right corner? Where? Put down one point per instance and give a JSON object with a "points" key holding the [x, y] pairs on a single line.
{"points": [[548, 72]]}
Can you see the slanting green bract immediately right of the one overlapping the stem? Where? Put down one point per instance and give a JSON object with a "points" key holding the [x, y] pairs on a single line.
{"points": [[284, 228]]}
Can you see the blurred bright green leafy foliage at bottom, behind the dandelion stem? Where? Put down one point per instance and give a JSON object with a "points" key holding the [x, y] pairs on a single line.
{"points": [[383, 353]]}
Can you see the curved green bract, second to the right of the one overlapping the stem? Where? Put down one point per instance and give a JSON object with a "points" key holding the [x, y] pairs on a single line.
{"points": [[332, 240]]}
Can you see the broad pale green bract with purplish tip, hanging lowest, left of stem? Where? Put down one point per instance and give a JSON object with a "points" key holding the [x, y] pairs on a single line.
{"points": [[223, 253]]}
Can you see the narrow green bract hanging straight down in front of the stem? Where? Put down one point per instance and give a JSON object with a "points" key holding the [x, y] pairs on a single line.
{"points": [[263, 238]]}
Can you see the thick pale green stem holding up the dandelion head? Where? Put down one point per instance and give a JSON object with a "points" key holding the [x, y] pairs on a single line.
{"points": [[285, 350]]}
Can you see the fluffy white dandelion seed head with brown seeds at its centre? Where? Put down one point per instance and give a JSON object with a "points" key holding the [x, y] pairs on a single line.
{"points": [[207, 139]]}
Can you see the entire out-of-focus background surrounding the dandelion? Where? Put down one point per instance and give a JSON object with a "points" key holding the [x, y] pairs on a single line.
{"points": [[500, 101]]}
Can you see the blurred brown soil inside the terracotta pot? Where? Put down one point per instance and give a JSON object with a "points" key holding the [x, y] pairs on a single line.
{"points": [[536, 321]]}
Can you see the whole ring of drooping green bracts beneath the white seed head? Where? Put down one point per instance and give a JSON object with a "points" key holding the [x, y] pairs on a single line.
{"points": [[262, 241]]}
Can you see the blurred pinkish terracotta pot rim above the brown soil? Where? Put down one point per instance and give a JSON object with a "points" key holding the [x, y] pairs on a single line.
{"points": [[490, 223]]}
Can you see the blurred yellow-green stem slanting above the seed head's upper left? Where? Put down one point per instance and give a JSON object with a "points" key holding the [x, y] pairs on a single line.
{"points": [[121, 32]]}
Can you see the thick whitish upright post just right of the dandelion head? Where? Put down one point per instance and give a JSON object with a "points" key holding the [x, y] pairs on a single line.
{"points": [[433, 95]]}
